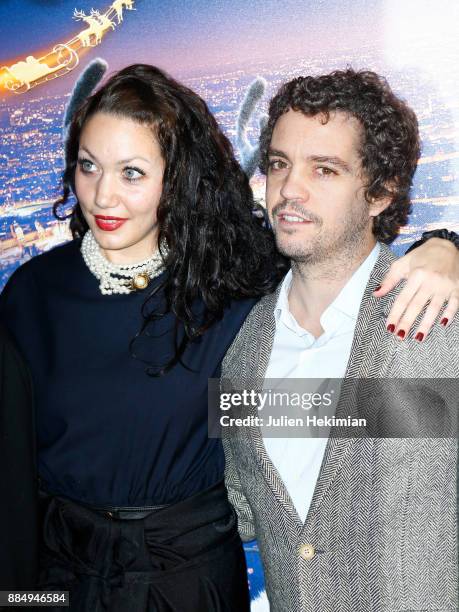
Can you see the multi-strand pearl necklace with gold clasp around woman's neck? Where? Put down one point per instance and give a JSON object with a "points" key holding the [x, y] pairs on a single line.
{"points": [[115, 278]]}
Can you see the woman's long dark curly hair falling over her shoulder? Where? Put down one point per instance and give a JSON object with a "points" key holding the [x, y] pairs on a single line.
{"points": [[217, 249]]}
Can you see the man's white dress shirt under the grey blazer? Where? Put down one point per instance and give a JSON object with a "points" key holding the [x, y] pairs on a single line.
{"points": [[296, 353]]}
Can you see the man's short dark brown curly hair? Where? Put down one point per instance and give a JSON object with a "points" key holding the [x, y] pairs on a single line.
{"points": [[390, 146]]}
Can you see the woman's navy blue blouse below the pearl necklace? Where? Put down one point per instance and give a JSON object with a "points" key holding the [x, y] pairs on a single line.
{"points": [[108, 433]]}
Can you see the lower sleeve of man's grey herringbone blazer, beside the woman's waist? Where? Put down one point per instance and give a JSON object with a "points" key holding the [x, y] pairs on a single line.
{"points": [[236, 495]]}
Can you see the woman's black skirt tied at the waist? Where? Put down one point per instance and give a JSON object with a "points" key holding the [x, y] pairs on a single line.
{"points": [[187, 557]]}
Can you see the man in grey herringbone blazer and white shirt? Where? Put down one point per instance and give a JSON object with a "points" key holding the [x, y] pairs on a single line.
{"points": [[350, 524]]}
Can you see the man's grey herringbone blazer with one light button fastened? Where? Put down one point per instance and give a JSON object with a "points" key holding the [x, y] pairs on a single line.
{"points": [[383, 516]]}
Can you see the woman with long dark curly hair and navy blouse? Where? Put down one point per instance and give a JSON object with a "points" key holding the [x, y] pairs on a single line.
{"points": [[122, 328]]}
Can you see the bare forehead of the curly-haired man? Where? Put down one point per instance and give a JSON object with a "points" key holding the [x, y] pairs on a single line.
{"points": [[338, 133]]}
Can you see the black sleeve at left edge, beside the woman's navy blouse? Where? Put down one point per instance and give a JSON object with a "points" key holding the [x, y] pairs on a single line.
{"points": [[18, 472]]}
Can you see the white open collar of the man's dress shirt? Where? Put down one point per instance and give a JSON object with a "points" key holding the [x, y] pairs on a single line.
{"points": [[346, 302]]}
